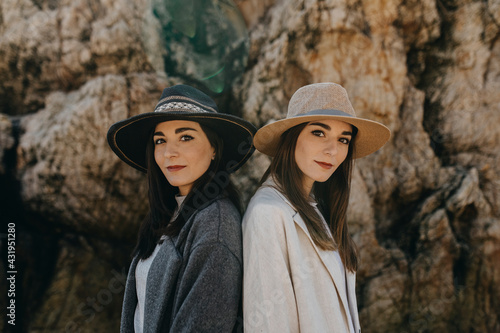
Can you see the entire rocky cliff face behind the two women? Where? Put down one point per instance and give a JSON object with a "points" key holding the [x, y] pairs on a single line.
{"points": [[424, 210]]}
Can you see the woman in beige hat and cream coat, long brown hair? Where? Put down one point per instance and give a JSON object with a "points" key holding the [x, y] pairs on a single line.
{"points": [[299, 260]]}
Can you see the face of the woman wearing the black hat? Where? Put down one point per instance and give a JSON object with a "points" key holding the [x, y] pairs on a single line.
{"points": [[183, 152]]}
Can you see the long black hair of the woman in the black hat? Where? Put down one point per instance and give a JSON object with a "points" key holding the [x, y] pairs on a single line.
{"points": [[162, 204]]}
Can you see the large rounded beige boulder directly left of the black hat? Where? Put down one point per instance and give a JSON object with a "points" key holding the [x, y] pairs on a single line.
{"points": [[68, 172]]}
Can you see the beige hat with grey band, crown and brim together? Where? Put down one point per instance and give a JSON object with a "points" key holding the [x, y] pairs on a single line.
{"points": [[323, 101]]}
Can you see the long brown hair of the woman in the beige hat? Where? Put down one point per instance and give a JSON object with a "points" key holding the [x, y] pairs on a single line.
{"points": [[332, 196]]}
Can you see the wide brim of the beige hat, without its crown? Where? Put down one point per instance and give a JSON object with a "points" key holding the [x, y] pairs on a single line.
{"points": [[371, 135]]}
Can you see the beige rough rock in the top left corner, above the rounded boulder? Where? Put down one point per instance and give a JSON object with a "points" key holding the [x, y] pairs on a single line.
{"points": [[48, 46]]}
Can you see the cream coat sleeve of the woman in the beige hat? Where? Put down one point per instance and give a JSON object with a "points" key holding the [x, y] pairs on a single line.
{"points": [[268, 295]]}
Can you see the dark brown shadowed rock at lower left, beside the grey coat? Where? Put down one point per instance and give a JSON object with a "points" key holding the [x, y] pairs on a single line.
{"points": [[86, 292]]}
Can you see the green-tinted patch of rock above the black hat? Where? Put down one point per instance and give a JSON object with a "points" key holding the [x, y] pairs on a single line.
{"points": [[203, 40]]}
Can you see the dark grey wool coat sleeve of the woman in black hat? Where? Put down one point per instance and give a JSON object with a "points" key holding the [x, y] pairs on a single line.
{"points": [[210, 291]]}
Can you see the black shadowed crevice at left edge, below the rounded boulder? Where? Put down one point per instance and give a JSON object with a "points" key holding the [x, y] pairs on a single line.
{"points": [[36, 247]]}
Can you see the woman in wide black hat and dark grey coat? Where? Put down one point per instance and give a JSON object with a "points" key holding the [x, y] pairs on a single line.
{"points": [[186, 272]]}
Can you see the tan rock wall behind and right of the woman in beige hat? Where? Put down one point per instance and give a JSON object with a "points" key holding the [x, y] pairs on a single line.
{"points": [[425, 206]]}
